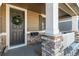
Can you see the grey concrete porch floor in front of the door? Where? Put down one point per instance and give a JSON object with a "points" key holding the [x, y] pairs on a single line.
{"points": [[32, 50]]}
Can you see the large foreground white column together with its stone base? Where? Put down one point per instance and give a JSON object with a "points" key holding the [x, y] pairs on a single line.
{"points": [[52, 41]]}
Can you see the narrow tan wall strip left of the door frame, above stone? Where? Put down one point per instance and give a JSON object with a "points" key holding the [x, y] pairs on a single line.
{"points": [[3, 18]]}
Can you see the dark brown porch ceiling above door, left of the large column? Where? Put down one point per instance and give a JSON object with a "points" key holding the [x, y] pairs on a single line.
{"points": [[36, 7]]}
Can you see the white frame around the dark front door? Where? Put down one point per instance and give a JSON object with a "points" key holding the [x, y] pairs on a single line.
{"points": [[8, 6]]}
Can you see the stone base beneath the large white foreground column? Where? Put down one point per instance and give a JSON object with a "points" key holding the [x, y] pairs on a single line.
{"points": [[52, 45]]}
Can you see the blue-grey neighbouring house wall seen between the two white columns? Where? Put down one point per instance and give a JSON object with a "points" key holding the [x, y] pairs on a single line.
{"points": [[65, 25]]}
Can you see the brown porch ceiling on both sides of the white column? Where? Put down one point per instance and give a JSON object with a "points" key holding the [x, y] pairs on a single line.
{"points": [[65, 9]]}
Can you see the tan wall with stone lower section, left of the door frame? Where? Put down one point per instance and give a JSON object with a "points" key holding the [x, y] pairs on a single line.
{"points": [[3, 24]]}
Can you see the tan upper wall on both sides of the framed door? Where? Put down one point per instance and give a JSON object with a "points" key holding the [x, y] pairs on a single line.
{"points": [[32, 19]]}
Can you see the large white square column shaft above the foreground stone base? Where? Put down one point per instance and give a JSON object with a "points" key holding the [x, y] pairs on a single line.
{"points": [[52, 19]]}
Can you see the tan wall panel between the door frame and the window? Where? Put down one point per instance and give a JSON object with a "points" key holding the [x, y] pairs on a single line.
{"points": [[32, 21]]}
